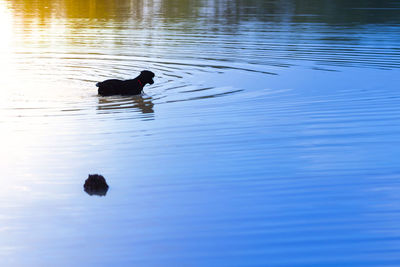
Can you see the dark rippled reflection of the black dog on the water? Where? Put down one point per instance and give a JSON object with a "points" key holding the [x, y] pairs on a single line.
{"points": [[145, 105]]}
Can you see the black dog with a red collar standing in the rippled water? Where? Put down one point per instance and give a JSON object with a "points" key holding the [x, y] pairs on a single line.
{"points": [[126, 87]]}
